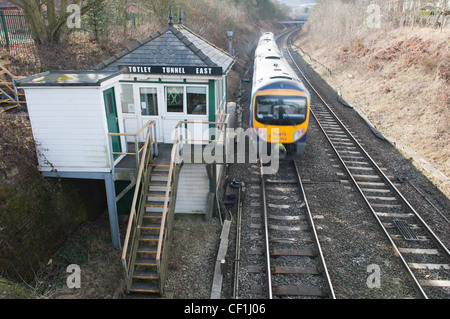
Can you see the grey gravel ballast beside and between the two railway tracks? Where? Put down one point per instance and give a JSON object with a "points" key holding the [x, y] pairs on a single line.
{"points": [[351, 240]]}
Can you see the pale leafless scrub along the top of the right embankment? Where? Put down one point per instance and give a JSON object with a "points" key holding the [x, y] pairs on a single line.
{"points": [[344, 21]]}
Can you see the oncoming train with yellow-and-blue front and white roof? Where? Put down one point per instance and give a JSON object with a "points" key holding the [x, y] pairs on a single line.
{"points": [[280, 104]]}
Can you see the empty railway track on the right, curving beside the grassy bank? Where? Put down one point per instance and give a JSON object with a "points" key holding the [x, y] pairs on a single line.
{"points": [[424, 257]]}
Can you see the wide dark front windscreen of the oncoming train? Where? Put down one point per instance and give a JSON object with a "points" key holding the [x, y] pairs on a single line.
{"points": [[281, 110]]}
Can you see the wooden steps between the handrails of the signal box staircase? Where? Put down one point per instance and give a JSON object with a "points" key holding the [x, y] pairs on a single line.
{"points": [[146, 277]]}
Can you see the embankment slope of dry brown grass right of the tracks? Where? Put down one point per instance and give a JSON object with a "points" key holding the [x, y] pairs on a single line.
{"points": [[400, 81]]}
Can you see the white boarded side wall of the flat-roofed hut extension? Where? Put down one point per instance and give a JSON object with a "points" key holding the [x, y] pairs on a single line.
{"points": [[69, 128]]}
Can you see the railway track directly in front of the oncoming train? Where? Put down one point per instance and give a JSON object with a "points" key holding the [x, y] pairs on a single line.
{"points": [[287, 258]]}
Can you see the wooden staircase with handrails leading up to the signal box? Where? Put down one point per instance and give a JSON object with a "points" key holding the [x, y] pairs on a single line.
{"points": [[146, 246]]}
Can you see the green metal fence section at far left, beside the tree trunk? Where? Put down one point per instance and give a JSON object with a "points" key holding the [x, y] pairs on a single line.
{"points": [[15, 33]]}
